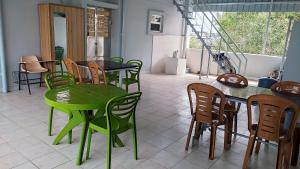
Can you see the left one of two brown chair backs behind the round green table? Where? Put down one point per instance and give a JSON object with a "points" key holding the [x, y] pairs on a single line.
{"points": [[74, 69]]}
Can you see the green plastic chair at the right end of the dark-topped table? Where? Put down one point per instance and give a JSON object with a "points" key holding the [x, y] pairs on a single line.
{"points": [[133, 74]]}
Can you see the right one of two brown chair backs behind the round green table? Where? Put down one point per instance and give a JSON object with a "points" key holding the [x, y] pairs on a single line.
{"points": [[94, 69]]}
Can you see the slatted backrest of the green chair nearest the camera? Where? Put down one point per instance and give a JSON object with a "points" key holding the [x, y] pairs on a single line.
{"points": [[122, 107]]}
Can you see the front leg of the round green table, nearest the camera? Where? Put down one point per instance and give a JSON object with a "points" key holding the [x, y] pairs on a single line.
{"points": [[85, 127]]}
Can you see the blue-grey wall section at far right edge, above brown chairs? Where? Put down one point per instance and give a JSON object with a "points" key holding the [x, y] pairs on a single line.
{"points": [[292, 64]]}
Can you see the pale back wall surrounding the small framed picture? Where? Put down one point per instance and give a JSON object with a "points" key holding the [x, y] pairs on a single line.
{"points": [[137, 44]]}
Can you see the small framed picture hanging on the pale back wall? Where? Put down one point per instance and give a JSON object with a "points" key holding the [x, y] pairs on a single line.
{"points": [[155, 22]]}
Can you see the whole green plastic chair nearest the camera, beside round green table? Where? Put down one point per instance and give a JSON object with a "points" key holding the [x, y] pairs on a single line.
{"points": [[119, 117]]}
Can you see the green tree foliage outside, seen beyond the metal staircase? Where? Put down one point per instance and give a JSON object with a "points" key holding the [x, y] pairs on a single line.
{"points": [[248, 31]]}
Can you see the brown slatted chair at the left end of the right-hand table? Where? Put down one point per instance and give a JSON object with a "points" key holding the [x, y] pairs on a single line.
{"points": [[206, 112]]}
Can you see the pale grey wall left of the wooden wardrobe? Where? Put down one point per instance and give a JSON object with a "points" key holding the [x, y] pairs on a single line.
{"points": [[21, 30]]}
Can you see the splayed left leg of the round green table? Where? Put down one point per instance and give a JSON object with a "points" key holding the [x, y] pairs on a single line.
{"points": [[73, 122]]}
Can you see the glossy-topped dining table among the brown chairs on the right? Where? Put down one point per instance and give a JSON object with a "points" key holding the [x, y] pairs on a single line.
{"points": [[242, 94]]}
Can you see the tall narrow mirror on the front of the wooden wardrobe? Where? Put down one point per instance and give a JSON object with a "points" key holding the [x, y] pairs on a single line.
{"points": [[60, 32]]}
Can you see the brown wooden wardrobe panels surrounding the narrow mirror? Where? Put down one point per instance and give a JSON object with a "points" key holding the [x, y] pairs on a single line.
{"points": [[74, 30]]}
